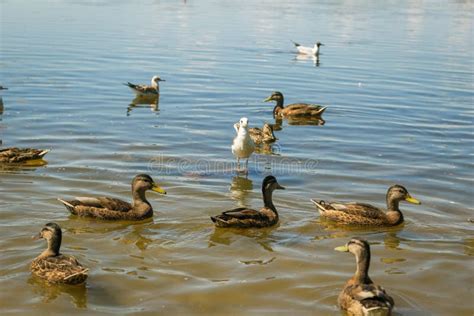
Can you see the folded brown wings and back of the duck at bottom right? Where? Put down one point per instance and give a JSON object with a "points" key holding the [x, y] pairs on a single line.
{"points": [[372, 297]]}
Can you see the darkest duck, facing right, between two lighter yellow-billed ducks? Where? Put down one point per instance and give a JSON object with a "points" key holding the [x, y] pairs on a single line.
{"points": [[248, 218]]}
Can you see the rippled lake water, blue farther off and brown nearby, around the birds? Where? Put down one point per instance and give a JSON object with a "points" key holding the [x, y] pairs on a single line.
{"points": [[397, 79]]}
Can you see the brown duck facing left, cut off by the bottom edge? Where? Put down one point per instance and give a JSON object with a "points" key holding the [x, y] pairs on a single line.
{"points": [[360, 295]]}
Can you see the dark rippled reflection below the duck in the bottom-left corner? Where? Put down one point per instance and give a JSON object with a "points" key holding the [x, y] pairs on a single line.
{"points": [[50, 292]]}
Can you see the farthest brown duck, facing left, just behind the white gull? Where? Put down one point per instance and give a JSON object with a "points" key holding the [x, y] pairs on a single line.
{"points": [[295, 109]]}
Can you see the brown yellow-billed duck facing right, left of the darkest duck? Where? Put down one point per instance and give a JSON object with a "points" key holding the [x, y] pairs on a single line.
{"points": [[115, 209]]}
